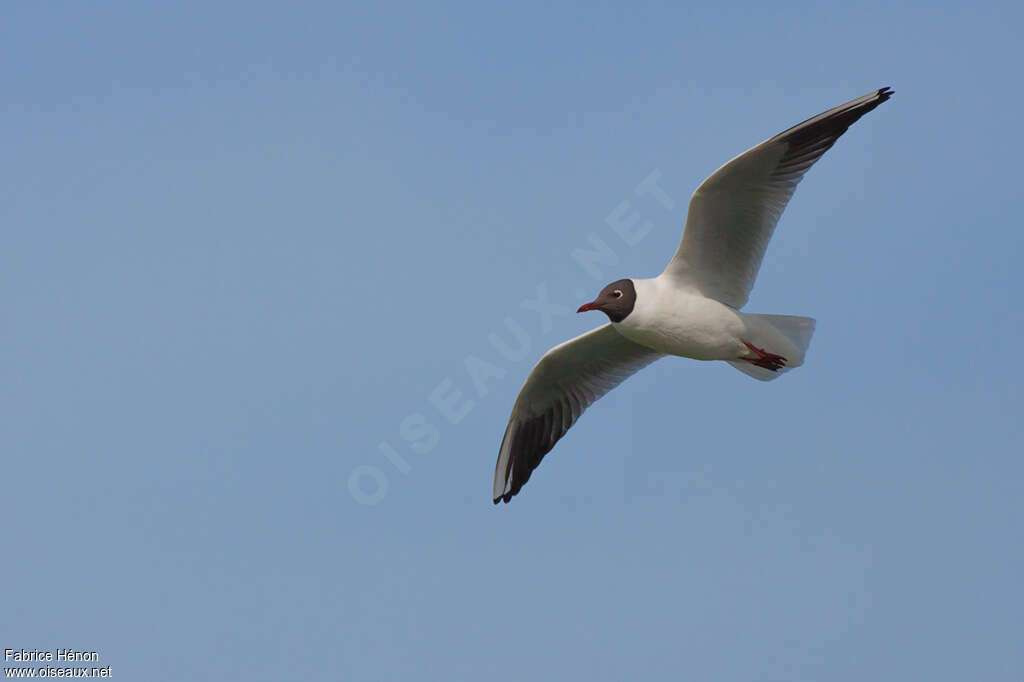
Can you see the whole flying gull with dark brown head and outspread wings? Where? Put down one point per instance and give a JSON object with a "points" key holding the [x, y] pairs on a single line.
{"points": [[693, 309]]}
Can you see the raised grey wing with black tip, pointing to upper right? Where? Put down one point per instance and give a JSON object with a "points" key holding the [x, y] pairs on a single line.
{"points": [[734, 214]]}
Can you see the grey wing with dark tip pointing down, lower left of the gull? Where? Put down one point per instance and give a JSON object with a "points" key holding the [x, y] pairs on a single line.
{"points": [[569, 379]]}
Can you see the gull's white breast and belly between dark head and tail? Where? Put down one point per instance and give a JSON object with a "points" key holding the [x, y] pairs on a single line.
{"points": [[682, 323]]}
